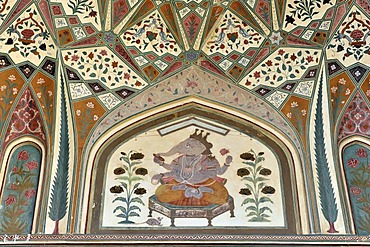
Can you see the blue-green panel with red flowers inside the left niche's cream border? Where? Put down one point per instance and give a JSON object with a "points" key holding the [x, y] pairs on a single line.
{"points": [[18, 197]]}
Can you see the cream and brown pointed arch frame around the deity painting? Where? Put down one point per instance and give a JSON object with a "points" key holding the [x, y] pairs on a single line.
{"points": [[193, 105]]}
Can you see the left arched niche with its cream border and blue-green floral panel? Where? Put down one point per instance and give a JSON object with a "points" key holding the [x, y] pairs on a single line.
{"points": [[20, 187]]}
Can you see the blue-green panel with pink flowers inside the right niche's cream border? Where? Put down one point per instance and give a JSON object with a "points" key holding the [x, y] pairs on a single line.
{"points": [[357, 169]]}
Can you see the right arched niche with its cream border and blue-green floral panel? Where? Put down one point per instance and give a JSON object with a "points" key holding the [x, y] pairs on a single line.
{"points": [[355, 156]]}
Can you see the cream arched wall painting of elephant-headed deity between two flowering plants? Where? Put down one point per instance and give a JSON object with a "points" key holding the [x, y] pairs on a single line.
{"points": [[193, 171]]}
